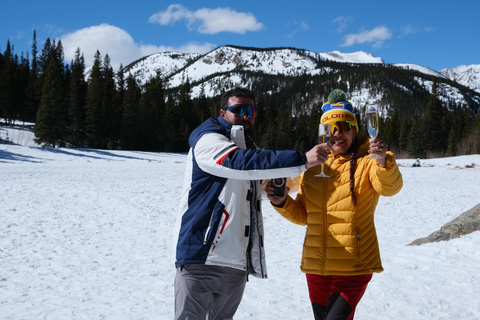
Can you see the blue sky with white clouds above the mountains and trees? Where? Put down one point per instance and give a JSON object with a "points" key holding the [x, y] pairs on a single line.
{"points": [[435, 34]]}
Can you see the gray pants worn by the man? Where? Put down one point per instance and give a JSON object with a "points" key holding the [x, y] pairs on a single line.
{"points": [[208, 292]]}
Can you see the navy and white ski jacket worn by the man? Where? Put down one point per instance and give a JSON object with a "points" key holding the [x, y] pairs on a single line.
{"points": [[220, 220]]}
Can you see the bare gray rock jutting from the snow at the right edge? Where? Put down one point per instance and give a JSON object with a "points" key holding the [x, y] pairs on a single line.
{"points": [[465, 223]]}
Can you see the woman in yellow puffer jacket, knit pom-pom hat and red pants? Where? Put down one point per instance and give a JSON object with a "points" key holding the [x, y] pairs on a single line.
{"points": [[341, 250]]}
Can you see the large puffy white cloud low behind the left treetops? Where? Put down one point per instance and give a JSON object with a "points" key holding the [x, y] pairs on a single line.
{"points": [[118, 44]]}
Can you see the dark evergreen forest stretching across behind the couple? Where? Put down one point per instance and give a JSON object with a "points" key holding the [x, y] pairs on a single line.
{"points": [[106, 110]]}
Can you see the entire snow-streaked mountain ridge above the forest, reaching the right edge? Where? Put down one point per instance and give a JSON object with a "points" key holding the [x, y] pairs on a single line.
{"points": [[227, 66]]}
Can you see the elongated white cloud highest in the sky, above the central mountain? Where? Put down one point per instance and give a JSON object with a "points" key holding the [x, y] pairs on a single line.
{"points": [[208, 21]]}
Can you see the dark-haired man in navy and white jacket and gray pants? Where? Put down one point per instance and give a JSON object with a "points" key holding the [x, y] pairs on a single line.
{"points": [[220, 223]]}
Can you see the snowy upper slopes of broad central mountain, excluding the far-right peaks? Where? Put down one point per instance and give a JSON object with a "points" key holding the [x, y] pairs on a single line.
{"points": [[222, 63]]}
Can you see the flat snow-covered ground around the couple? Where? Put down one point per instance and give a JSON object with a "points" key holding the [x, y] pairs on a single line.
{"points": [[87, 234]]}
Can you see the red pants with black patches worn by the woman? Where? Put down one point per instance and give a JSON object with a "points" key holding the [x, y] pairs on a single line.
{"points": [[336, 294]]}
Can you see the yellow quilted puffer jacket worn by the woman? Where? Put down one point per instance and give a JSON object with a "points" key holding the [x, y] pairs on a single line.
{"points": [[341, 238]]}
